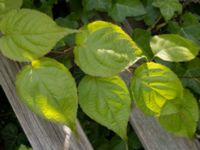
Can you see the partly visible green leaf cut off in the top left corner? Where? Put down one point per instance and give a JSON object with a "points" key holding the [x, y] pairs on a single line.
{"points": [[6, 5]]}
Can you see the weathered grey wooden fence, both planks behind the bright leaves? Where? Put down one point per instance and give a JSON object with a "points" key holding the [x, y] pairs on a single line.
{"points": [[45, 135]]}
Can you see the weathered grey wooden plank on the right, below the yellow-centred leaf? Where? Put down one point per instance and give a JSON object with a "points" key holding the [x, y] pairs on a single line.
{"points": [[150, 133]]}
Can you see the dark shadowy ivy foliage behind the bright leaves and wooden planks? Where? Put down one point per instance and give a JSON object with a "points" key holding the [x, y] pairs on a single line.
{"points": [[146, 21]]}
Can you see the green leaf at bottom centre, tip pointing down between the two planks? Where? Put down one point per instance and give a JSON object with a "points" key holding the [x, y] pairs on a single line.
{"points": [[107, 101]]}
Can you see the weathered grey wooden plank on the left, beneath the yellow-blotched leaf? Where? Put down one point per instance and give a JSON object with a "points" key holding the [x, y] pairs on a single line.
{"points": [[43, 135]]}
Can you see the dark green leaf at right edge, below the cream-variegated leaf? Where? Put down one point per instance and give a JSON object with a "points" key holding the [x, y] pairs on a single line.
{"points": [[191, 78]]}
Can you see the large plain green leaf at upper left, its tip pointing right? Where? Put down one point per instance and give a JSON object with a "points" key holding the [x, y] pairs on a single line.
{"points": [[29, 34]]}
